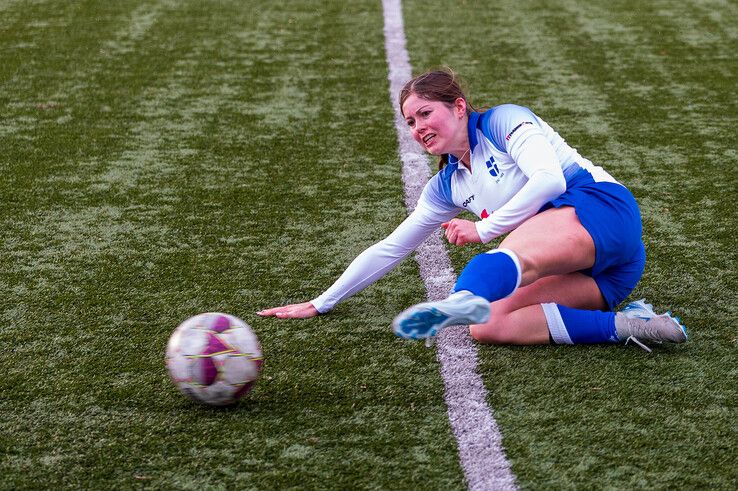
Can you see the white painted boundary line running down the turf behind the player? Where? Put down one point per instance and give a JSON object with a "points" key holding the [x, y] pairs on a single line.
{"points": [[480, 442]]}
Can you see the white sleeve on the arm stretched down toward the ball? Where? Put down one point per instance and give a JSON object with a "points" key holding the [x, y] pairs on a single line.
{"points": [[379, 259]]}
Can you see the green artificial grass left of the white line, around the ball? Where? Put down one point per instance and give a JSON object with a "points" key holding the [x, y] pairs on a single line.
{"points": [[168, 158]]}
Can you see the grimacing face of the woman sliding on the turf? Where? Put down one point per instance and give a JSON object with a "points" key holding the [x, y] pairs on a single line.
{"points": [[436, 126]]}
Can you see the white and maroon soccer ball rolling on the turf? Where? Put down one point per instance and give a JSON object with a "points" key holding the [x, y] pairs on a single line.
{"points": [[214, 358]]}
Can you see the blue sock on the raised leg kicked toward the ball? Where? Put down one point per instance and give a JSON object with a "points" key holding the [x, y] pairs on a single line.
{"points": [[492, 275]]}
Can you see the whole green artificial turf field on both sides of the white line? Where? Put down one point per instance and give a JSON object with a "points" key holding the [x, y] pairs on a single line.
{"points": [[165, 158]]}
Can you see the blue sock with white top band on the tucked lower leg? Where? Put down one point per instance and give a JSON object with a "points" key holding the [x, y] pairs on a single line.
{"points": [[574, 326]]}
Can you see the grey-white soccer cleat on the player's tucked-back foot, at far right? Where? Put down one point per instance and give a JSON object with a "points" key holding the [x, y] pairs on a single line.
{"points": [[644, 324]]}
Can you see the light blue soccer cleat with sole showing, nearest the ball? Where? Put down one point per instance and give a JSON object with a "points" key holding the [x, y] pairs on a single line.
{"points": [[425, 320]]}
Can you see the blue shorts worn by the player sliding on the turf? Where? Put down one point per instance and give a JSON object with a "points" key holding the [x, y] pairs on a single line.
{"points": [[611, 215]]}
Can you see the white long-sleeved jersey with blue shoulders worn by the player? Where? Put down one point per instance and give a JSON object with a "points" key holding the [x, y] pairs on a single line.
{"points": [[518, 163]]}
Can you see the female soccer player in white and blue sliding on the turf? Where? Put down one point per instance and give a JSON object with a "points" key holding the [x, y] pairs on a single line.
{"points": [[573, 251]]}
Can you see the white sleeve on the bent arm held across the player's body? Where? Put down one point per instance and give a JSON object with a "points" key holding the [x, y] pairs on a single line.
{"points": [[537, 159]]}
